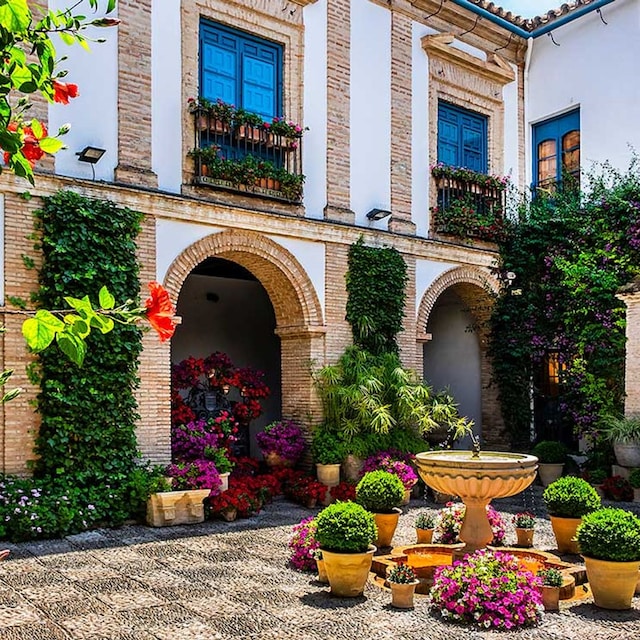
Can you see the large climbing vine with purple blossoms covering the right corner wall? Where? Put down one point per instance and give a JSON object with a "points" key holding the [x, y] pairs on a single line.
{"points": [[570, 253]]}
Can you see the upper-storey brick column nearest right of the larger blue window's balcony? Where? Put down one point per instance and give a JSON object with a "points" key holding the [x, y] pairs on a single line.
{"points": [[338, 111]]}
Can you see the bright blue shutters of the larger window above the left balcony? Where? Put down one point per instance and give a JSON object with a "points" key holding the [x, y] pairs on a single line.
{"points": [[240, 69]]}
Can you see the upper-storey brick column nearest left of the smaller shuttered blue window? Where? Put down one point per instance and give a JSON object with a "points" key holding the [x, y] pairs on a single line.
{"points": [[401, 134]]}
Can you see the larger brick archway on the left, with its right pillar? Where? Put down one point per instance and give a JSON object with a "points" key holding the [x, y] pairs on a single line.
{"points": [[299, 317]]}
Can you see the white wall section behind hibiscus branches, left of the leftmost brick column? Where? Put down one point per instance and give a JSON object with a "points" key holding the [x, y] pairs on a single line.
{"points": [[94, 112]]}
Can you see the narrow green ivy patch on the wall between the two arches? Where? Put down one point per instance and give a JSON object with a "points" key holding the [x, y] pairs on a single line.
{"points": [[376, 281]]}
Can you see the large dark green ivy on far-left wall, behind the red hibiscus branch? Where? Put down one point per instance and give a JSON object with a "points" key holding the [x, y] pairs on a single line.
{"points": [[87, 435]]}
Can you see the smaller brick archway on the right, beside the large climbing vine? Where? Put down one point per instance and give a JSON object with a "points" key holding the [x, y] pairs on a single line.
{"points": [[477, 289]]}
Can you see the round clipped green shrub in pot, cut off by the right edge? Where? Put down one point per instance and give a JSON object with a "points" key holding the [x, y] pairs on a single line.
{"points": [[610, 534]]}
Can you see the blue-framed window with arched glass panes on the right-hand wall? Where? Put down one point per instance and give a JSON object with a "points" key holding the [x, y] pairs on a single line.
{"points": [[556, 151]]}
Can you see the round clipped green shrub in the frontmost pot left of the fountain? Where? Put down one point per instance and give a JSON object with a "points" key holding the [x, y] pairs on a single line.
{"points": [[345, 527]]}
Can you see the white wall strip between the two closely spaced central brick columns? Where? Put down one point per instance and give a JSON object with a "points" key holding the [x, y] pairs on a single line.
{"points": [[370, 110]]}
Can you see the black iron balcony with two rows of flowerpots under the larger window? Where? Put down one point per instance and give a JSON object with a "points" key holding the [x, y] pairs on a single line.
{"points": [[236, 150]]}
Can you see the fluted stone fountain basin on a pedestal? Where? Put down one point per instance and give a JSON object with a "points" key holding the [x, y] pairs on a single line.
{"points": [[476, 477]]}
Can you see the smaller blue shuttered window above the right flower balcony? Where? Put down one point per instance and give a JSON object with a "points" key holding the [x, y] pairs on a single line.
{"points": [[462, 138]]}
